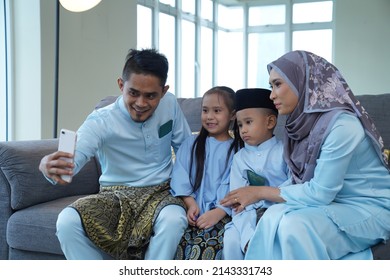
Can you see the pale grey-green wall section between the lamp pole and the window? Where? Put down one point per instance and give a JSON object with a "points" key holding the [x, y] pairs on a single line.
{"points": [[93, 46]]}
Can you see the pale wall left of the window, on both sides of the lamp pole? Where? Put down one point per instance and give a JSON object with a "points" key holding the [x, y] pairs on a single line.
{"points": [[93, 46]]}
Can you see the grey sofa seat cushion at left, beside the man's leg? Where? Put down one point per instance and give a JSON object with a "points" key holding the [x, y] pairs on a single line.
{"points": [[34, 228]]}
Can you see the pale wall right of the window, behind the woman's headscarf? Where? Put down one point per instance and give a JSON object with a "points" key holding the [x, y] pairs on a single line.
{"points": [[362, 44]]}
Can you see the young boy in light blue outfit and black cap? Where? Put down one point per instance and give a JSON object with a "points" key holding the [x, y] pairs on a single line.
{"points": [[259, 163]]}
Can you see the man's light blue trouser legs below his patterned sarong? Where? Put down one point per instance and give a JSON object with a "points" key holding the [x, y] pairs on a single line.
{"points": [[167, 232]]}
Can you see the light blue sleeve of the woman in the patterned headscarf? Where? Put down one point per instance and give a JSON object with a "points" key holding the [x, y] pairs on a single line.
{"points": [[332, 164]]}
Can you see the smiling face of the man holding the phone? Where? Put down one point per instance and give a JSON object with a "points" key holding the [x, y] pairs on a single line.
{"points": [[141, 95]]}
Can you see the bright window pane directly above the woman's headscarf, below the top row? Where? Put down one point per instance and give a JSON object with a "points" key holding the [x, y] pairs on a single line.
{"points": [[316, 41]]}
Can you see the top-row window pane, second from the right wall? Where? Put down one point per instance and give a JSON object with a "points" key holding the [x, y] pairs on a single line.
{"points": [[265, 15]]}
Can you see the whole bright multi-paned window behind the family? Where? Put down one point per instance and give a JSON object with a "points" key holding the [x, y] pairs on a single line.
{"points": [[211, 43]]}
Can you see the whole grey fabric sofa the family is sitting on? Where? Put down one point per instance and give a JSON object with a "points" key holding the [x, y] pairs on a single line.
{"points": [[29, 204]]}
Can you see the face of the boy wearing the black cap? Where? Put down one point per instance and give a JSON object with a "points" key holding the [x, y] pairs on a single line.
{"points": [[255, 125]]}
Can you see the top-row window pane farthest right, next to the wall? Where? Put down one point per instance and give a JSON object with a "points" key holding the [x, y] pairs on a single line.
{"points": [[313, 12]]}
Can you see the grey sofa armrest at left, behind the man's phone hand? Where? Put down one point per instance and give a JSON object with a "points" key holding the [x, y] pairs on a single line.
{"points": [[19, 165]]}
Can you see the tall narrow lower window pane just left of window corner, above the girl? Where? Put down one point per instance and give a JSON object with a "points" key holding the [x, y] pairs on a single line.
{"points": [[206, 60]]}
